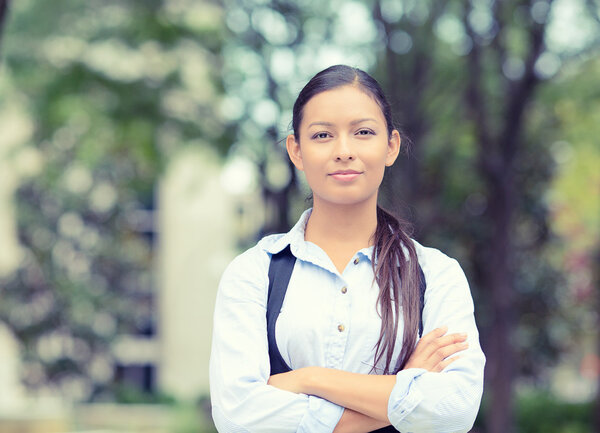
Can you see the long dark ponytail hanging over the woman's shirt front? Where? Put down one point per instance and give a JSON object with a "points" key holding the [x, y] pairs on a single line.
{"points": [[397, 274]]}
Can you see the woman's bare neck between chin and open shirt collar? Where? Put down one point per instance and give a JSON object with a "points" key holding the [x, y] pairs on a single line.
{"points": [[351, 226]]}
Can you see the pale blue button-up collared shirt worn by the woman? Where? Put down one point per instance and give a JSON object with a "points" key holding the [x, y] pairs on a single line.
{"points": [[330, 319]]}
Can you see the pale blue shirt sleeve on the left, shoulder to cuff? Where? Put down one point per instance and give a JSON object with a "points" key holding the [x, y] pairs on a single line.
{"points": [[239, 363]]}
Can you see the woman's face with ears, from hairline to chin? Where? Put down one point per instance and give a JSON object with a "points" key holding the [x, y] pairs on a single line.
{"points": [[343, 146]]}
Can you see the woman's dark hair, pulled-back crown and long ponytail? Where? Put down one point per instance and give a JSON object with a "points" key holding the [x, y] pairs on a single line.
{"points": [[394, 256]]}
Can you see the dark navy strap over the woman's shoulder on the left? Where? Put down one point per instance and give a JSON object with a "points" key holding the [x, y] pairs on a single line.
{"points": [[280, 271]]}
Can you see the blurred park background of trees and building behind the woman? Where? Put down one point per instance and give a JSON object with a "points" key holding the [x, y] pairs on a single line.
{"points": [[140, 151]]}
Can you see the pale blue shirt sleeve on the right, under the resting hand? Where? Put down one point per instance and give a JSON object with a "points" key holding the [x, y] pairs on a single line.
{"points": [[423, 401]]}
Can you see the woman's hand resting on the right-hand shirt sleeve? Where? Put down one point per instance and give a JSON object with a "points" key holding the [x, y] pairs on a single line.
{"points": [[434, 350]]}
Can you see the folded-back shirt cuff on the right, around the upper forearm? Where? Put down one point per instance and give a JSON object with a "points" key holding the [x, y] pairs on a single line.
{"points": [[404, 397]]}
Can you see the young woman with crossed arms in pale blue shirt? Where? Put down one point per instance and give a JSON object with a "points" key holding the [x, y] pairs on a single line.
{"points": [[349, 325]]}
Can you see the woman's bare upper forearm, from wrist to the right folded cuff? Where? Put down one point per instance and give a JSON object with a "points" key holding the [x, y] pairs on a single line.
{"points": [[364, 393]]}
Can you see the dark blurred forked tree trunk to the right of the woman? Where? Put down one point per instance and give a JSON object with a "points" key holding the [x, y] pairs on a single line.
{"points": [[497, 154]]}
